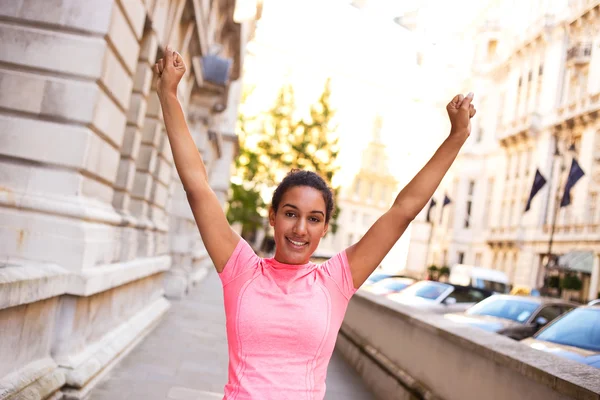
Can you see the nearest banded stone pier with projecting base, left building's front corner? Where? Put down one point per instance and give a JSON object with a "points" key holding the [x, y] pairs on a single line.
{"points": [[74, 295]]}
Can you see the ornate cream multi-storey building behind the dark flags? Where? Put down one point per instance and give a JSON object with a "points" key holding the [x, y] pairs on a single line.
{"points": [[535, 75]]}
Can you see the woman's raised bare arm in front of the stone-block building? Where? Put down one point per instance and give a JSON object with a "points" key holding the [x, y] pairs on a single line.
{"points": [[218, 237]]}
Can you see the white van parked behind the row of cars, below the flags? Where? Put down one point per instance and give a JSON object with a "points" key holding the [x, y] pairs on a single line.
{"points": [[478, 277]]}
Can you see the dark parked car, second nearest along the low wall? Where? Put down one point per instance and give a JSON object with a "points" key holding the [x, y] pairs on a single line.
{"points": [[517, 317]]}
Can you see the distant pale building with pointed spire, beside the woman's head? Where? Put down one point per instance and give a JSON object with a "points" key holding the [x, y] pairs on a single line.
{"points": [[370, 194]]}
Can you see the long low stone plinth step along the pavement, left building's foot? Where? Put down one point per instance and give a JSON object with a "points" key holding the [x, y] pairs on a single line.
{"points": [[82, 367]]}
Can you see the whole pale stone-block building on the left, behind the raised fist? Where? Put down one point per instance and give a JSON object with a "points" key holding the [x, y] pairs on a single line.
{"points": [[94, 225]]}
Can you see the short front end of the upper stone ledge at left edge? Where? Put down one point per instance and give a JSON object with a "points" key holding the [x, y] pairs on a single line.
{"points": [[20, 284]]}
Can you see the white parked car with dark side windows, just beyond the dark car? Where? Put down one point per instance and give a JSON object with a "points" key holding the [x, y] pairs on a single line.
{"points": [[438, 297]]}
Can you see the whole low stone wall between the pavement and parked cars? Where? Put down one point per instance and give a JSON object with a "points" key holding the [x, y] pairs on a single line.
{"points": [[403, 353]]}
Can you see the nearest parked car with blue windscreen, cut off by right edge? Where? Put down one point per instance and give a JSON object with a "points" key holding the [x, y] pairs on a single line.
{"points": [[575, 335]]}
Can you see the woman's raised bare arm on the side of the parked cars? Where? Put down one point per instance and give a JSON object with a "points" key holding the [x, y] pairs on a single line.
{"points": [[367, 254]]}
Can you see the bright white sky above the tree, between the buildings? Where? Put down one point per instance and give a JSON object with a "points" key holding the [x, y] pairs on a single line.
{"points": [[372, 62]]}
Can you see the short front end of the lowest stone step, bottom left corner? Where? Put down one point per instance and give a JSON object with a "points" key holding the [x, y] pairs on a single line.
{"points": [[37, 380]]}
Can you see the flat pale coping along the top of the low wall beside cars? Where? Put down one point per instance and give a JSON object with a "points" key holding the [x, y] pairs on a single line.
{"points": [[564, 376]]}
